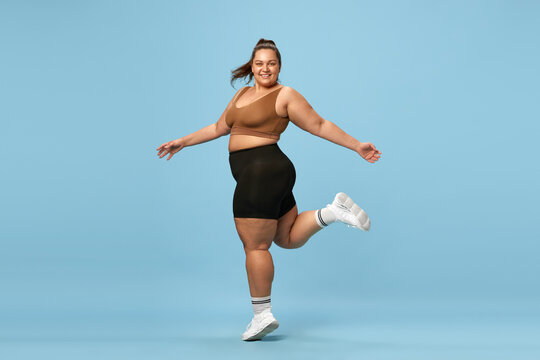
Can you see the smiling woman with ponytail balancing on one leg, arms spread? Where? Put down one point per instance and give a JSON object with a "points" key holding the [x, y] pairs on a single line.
{"points": [[264, 207]]}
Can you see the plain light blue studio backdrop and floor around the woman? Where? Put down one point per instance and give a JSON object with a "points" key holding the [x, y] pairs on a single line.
{"points": [[110, 252]]}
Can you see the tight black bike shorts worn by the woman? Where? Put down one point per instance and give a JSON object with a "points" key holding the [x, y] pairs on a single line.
{"points": [[265, 177]]}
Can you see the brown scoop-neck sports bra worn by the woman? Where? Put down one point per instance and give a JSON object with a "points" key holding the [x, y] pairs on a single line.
{"points": [[258, 118]]}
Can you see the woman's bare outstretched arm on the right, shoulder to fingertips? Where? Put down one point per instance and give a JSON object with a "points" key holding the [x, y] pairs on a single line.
{"points": [[302, 115]]}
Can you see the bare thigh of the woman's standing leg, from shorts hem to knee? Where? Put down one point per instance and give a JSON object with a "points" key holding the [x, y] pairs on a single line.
{"points": [[256, 234]]}
